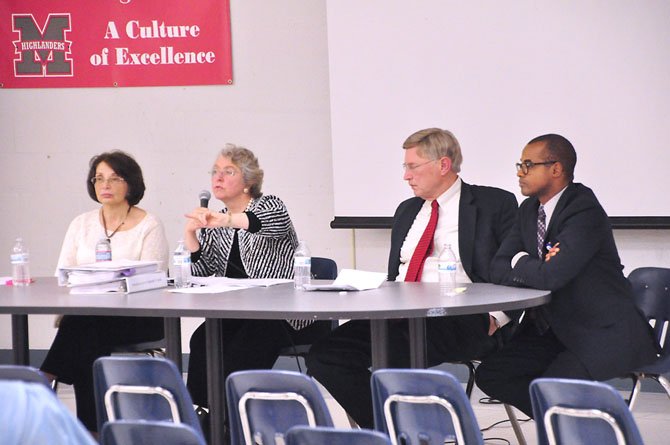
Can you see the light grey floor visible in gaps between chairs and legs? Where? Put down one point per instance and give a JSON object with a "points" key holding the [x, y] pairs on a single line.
{"points": [[651, 412]]}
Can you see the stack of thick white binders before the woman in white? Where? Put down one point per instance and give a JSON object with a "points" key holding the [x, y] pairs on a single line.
{"points": [[112, 276]]}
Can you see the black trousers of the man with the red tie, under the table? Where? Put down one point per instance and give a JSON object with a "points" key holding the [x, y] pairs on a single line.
{"points": [[341, 361]]}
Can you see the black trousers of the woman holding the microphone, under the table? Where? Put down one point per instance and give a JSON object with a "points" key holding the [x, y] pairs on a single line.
{"points": [[247, 344]]}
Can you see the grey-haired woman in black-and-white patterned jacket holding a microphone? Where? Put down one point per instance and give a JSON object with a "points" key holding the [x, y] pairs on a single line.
{"points": [[253, 237]]}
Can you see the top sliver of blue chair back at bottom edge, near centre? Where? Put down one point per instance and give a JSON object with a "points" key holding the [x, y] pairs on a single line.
{"points": [[305, 435]]}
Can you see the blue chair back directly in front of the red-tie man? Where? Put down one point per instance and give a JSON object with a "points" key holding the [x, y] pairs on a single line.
{"points": [[419, 406]]}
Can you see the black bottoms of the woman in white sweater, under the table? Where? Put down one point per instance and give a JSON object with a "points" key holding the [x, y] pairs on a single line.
{"points": [[80, 340]]}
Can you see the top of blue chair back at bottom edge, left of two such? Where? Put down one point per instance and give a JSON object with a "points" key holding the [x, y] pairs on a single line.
{"points": [[129, 432]]}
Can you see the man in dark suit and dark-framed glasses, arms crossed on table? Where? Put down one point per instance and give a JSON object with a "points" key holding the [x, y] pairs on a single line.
{"points": [[562, 241]]}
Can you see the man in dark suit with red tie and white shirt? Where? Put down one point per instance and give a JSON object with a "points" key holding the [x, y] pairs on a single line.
{"points": [[474, 221]]}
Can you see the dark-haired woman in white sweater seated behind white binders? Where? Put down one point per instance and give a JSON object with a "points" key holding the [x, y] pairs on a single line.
{"points": [[115, 181]]}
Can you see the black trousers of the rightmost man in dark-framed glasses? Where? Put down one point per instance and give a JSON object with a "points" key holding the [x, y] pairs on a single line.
{"points": [[506, 374]]}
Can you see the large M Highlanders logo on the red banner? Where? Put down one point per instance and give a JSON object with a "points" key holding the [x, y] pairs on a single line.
{"points": [[42, 52]]}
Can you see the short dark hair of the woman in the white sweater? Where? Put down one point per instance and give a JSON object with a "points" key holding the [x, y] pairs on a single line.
{"points": [[123, 165]]}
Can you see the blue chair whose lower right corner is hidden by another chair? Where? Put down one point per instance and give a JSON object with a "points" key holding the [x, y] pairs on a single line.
{"points": [[264, 404]]}
